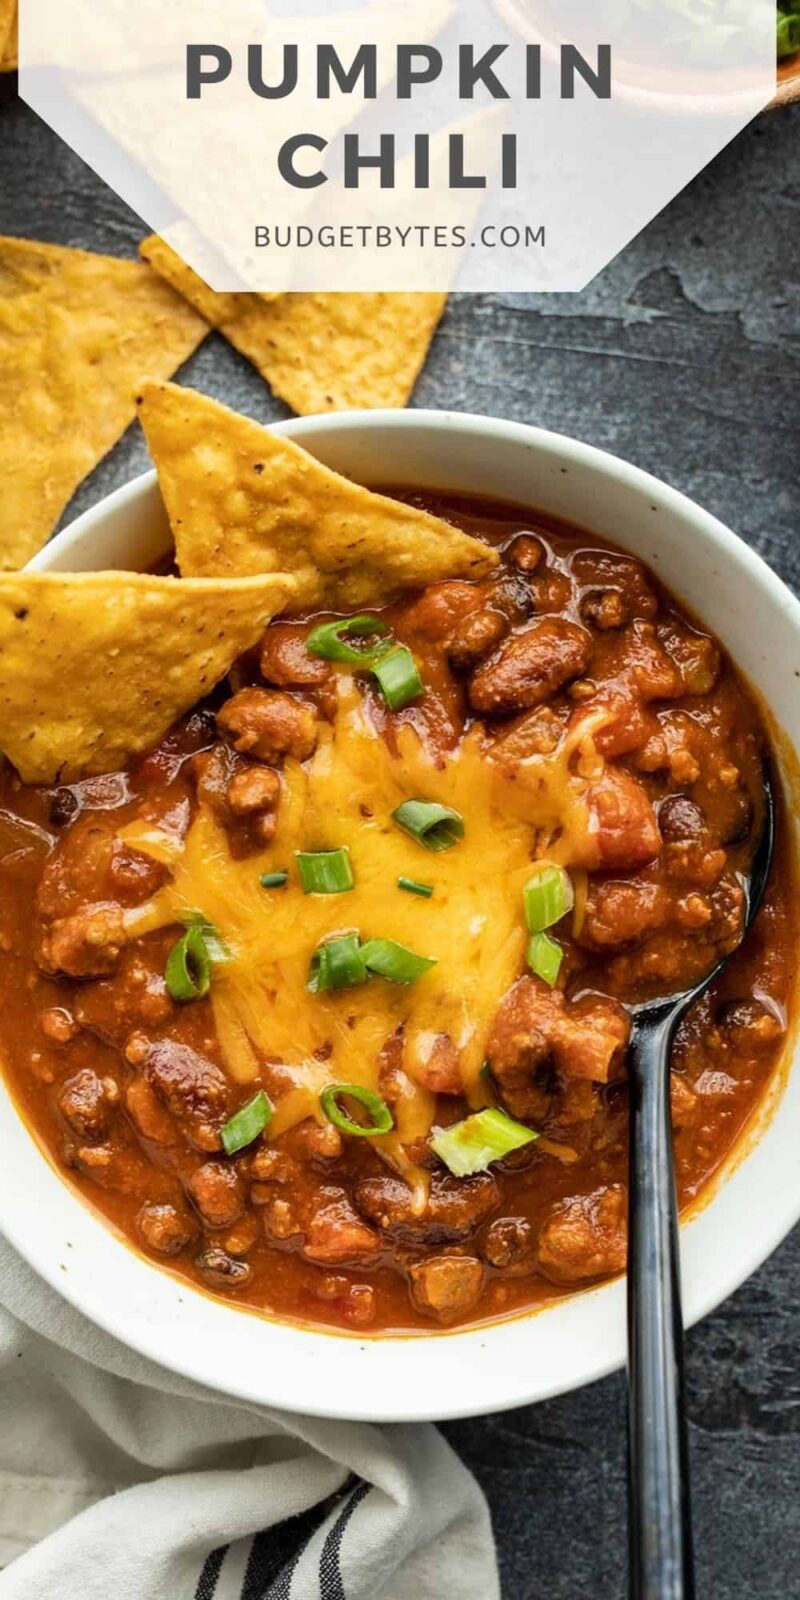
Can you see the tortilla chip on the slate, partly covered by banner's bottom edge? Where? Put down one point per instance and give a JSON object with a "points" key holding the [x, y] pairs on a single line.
{"points": [[319, 353]]}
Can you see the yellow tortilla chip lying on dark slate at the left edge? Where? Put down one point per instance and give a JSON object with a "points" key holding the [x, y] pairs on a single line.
{"points": [[76, 335]]}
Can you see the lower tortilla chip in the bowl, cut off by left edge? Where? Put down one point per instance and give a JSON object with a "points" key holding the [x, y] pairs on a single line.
{"points": [[95, 668]]}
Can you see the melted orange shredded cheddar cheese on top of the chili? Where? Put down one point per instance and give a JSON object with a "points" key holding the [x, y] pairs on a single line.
{"points": [[473, 926]]}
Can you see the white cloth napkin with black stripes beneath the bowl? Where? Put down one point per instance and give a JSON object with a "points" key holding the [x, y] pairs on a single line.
{"points": [[121, 1479]]}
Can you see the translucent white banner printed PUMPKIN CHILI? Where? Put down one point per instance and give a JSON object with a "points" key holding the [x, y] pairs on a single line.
{"points": [[398, 145]]}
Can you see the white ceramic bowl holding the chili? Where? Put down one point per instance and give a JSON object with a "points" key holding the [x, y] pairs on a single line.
{"points": [[577, 1340]]}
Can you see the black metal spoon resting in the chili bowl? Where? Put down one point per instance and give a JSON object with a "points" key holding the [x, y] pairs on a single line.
{"points": [[660, 1518]]}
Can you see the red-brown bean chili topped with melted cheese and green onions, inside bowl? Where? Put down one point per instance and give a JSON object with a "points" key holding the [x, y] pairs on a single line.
{"points": [[327, 996]]}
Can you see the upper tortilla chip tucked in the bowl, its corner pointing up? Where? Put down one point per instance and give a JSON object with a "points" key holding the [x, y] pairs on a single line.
{"points": [[241, 500]]}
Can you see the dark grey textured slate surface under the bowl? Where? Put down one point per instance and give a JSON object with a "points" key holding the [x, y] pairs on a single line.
{"points": [[684, 358]]}
